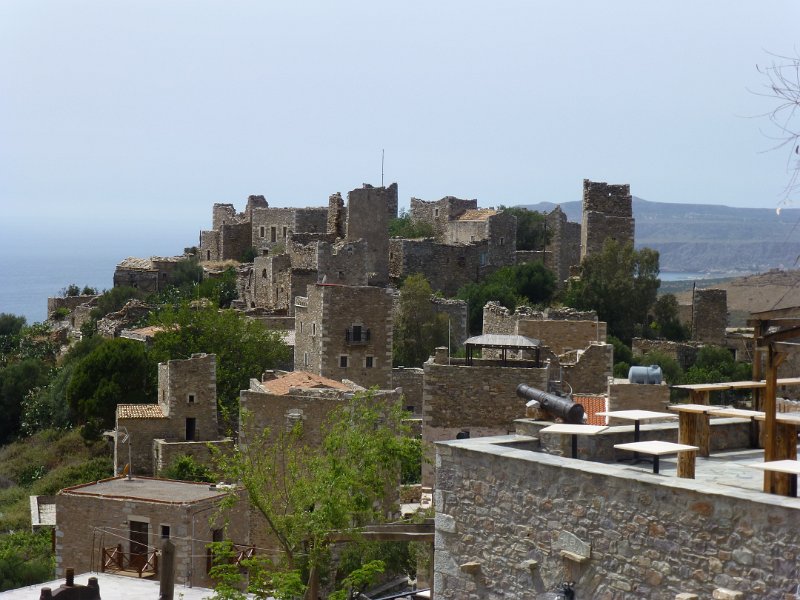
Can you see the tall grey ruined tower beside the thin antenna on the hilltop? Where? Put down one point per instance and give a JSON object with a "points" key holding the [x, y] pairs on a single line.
{"points": [[368, 218]]}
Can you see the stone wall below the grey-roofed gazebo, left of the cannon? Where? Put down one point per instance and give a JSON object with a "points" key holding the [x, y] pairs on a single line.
{"points": [[479, 399]]}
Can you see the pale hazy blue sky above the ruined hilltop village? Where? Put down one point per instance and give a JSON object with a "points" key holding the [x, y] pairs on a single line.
{"points": [[130, 119]]}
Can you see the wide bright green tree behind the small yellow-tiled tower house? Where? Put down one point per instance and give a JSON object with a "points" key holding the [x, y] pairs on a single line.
{"points": [[244, 347]]}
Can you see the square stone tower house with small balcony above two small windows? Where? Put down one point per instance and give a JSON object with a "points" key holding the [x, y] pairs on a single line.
{"points": [[345, 332]]}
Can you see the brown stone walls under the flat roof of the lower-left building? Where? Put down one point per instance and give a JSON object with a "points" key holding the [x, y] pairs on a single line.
{"points": [[86, 524]]}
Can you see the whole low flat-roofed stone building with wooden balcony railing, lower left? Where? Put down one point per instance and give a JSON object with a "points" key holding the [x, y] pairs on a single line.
{"points": [[132, 517]]}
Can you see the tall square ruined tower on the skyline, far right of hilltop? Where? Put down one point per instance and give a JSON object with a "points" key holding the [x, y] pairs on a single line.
{"points": [[607, 213]]}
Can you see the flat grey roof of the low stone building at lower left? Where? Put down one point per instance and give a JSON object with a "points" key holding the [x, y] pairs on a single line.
{"points": [[147, 489]]}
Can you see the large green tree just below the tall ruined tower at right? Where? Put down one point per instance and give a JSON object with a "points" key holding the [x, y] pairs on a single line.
{"points": [[621, 284]]}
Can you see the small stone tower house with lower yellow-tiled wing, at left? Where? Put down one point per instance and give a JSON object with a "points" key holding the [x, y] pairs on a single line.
{"points": [[183, 422]]}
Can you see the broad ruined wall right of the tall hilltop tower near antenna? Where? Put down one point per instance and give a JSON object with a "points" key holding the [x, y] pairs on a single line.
{"points": [[446, 267]]}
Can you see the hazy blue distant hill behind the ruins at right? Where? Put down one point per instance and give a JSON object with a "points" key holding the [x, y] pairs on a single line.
{"points": [[707, 238]]}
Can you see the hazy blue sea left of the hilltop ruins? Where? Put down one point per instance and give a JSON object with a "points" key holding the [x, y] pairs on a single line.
{"points": [[36, 262]]}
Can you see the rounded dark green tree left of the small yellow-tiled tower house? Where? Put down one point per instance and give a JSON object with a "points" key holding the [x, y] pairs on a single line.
{"points": [[115, 372]]}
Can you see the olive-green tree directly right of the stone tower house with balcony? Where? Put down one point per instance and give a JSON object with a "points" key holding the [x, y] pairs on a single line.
{"points": [[418, 328]]}
